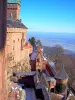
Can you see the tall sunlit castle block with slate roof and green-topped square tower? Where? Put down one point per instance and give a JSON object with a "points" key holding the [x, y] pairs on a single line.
{"points": [[17, 49]]}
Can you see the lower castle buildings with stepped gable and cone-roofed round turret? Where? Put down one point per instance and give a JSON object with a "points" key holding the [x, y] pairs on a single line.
{"points": [[53, 82]]}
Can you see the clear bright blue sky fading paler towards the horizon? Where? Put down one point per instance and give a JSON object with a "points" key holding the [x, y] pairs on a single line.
{"points": [[48, 15]]}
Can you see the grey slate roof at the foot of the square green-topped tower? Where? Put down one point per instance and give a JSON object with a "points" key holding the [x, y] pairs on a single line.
{"points": [[15, 24]]}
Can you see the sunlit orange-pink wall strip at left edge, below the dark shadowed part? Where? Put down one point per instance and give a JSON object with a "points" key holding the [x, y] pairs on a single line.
{"points": [[3, 77]]}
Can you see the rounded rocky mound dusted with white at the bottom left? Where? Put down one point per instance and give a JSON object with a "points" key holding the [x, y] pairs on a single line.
{"points": [[16, 92]]}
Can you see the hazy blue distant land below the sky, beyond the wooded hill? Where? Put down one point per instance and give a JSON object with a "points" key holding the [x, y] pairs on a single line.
{"points": [[66, 40]]}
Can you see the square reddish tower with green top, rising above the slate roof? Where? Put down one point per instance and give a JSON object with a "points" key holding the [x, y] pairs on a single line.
{"points": [[13, 9]]}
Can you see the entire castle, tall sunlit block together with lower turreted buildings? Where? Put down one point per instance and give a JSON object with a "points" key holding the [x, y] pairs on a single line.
{"points": [[16, 55]]}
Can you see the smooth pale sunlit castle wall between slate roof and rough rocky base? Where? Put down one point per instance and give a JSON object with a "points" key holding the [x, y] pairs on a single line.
{"points": [[13, 44]]}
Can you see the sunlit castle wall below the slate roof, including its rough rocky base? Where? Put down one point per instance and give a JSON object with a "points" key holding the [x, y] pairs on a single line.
{"points": [[17, 55]]}
